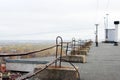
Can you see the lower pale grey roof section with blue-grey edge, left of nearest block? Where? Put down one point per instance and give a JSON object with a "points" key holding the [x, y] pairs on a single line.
{"points": [[23, 65]]}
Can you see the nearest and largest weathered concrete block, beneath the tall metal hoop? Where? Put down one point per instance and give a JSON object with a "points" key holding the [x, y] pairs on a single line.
{"points": [[57, 73]]}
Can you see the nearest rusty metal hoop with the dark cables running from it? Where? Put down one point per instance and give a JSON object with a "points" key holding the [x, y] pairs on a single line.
{"points": [[31, 74]]}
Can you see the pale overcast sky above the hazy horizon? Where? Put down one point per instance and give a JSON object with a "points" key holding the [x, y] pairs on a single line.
{"points": [[47, 19]]}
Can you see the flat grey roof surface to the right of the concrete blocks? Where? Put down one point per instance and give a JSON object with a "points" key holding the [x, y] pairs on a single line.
{"points": [[103, 63]]}
